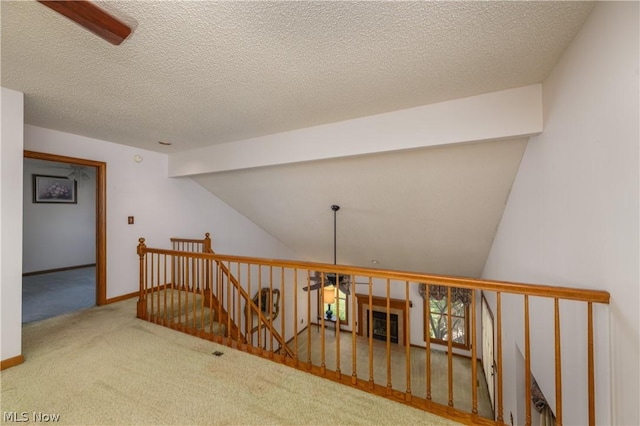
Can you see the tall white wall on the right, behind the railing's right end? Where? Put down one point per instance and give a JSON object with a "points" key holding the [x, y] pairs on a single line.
{"points": [[572, 217]]}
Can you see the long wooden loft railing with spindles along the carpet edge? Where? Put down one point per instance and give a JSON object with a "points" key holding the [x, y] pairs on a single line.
{"points": [[416, 371]]}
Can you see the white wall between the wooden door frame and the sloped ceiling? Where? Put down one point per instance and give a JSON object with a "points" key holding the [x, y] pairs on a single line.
{"points": [[163, 207]]}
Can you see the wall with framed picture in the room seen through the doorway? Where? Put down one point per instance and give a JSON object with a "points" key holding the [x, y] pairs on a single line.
{"points": [[58, 235]]}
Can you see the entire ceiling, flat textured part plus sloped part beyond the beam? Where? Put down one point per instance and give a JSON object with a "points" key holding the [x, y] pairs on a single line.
{"points": [[199, 73]]}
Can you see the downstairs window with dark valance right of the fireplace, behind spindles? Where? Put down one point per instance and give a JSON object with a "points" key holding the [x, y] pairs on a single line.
{"points": [[436, 320]]}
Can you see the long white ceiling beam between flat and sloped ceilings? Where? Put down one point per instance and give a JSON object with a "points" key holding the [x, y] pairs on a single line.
{"points": [[504, 114]]}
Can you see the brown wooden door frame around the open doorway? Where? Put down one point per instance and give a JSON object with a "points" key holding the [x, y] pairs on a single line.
{"points": [[100, 213]]}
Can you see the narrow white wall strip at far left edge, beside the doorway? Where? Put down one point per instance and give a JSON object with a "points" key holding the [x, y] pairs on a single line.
{"points": [[11, 119]]}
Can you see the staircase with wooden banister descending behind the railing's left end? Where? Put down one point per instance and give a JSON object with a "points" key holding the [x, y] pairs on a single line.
{"points": [[185, 290]]}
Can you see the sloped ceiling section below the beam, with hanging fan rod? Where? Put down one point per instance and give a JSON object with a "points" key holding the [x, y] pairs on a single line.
{"points": [[426, 210]]}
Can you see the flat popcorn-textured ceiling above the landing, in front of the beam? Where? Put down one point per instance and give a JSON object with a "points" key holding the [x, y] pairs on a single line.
{"points": [[202, 73]]}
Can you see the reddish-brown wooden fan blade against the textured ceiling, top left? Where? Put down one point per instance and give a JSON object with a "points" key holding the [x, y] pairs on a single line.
{"points": [[90, 16]]}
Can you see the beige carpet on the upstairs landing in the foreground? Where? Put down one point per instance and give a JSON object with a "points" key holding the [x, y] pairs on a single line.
{"points": [[104, 366]]}
